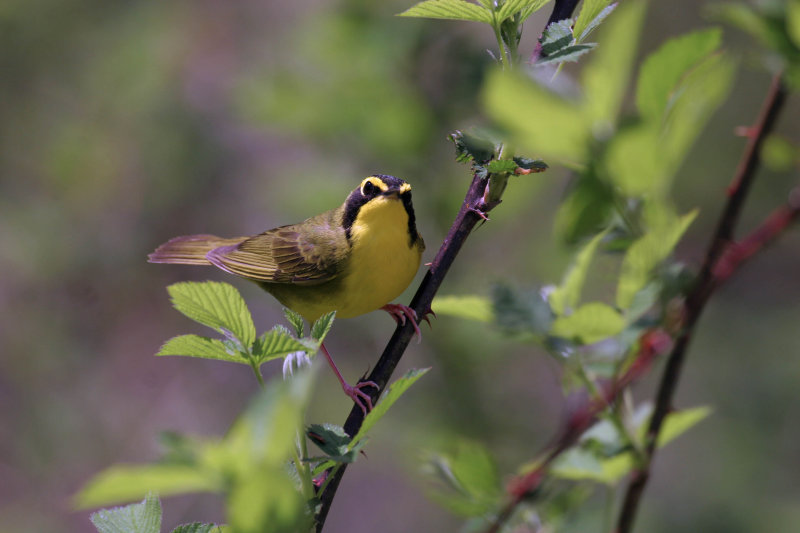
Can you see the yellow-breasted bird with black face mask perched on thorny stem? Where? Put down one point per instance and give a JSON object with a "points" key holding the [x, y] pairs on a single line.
{"points": [[353, 259]]}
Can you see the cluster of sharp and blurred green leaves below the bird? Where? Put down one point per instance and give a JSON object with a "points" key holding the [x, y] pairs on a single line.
{"points": [[261, 466]]}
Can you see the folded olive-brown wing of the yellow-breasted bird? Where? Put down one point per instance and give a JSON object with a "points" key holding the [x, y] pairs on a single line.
{"points": [[308, 253]]}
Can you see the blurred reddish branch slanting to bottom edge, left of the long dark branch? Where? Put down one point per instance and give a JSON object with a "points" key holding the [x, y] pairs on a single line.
{"points": [[651, 344]]}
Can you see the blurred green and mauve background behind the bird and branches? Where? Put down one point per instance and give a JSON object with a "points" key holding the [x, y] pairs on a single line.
{"points": [[123, 124]]}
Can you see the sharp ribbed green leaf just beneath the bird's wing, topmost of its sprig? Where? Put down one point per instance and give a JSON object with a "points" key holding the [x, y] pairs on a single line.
{"points": [[216, 305]]}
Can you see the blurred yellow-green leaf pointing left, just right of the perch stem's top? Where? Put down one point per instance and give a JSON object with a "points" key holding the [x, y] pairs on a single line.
{"points": [[541, 122]]}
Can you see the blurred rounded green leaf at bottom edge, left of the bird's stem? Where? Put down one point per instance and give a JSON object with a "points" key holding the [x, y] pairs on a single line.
{"points": [[266, 500]]}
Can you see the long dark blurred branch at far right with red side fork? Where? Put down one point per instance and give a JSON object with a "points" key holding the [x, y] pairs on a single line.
{"points": [[705, 284]]}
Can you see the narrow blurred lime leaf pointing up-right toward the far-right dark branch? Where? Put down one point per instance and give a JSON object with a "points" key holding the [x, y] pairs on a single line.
{"points": [[645, 254]]}
